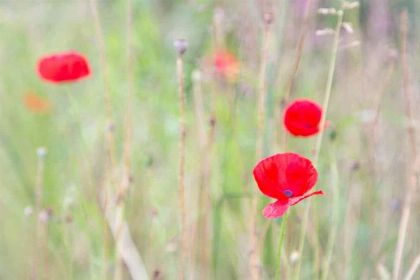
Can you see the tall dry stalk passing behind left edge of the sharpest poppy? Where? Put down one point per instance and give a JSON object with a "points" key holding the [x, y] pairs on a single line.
{"points": [[254, 258]]}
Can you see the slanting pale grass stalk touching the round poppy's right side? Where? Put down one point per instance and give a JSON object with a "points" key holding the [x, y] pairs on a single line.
{"points": [[325, 104]]}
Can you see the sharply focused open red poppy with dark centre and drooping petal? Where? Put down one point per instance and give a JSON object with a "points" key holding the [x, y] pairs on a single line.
{"points": [[287, 178]]}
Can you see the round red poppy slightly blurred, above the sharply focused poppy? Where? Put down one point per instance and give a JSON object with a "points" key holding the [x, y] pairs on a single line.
{"points": [[302, 117]]}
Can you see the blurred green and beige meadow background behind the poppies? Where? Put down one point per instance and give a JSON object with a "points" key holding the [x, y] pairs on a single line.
{"points": [[54, 223]]}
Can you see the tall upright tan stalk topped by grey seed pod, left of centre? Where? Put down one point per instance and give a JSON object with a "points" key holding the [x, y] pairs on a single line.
{"points": [[181, 46]]}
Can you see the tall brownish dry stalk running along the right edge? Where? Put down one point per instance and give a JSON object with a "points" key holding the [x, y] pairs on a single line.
{"points": [[411, 133]]}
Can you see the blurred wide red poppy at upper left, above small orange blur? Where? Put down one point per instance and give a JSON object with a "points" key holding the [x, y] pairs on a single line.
{"points": [[63, 67]]}
